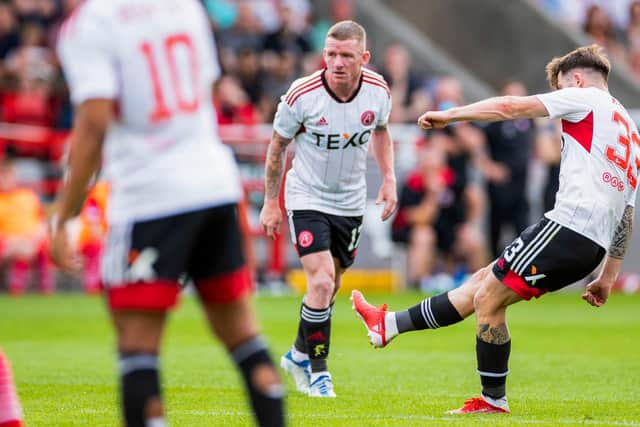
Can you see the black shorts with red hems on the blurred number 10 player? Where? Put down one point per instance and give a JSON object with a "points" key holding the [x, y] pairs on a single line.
{"points": [[144, 261]]}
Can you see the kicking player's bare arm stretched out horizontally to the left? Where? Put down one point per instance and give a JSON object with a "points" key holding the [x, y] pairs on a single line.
{"points": [[489, 110]]}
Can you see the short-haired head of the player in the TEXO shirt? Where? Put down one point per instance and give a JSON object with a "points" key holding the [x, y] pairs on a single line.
{"points": [[345, 51]]}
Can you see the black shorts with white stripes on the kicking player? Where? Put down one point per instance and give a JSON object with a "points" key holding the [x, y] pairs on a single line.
{"points": [[546, 257]]}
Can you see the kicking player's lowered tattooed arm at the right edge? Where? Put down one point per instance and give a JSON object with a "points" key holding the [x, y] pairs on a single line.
{"points": [[597, 291]]}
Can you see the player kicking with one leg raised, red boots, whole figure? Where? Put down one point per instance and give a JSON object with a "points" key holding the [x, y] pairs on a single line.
{"points": [[592, 217]]}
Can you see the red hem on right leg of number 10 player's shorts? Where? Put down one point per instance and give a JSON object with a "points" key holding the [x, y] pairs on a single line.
{"points": [[225, 288]]}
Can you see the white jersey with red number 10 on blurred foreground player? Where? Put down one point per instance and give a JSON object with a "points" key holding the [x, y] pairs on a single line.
{"points": [[157, 60]]}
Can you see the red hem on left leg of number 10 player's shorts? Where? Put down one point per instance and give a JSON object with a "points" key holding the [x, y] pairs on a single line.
{"points": [[158, 295]]}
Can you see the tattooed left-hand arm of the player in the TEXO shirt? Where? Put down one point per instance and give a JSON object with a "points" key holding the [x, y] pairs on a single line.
{"points": [[271, 216]]}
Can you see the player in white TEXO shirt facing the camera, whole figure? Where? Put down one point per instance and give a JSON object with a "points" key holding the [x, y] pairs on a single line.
{"points": [[333, 116]]}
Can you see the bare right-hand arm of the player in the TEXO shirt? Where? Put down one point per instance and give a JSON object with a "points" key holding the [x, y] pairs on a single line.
{"points": [[383, 152]]}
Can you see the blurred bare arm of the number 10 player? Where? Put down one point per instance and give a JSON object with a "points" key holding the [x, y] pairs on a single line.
{"points": [[90, 126]]}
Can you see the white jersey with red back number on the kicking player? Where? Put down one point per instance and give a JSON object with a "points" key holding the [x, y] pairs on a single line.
{"points": [[599, 163]]}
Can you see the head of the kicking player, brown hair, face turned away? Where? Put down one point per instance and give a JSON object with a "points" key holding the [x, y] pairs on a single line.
{"points": [[582, 67]]}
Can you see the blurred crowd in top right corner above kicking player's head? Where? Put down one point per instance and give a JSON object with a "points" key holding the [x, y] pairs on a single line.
{"points": [[613, 24]]}
